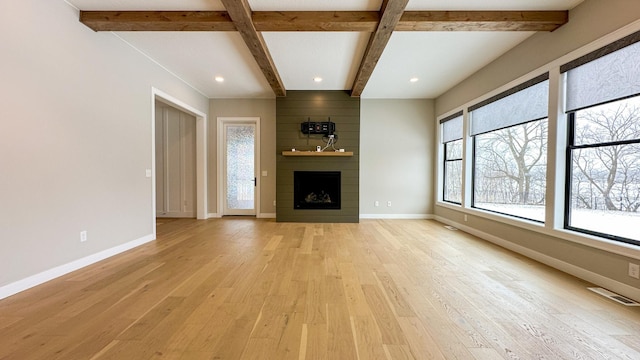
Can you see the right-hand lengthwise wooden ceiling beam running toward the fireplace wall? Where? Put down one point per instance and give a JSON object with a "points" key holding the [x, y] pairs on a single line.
{"points": [[390, 14]]}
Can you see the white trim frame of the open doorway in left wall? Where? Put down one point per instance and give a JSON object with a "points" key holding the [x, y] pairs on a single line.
{"points": [[201, 152]]}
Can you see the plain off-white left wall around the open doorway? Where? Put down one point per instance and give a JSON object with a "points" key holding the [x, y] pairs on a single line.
{"points": [[76, 138]]}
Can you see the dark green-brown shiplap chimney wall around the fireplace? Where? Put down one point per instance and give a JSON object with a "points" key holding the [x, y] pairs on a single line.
{"points": [[295, 108]]}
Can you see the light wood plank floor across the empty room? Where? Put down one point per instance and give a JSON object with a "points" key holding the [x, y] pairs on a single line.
{"points": [[237, 288]]}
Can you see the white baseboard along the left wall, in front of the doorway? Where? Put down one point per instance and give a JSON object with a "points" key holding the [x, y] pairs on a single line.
{"points": [[37, 279]]}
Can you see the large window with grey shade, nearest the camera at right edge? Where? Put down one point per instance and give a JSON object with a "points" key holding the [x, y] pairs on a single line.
{"points": [[603, 152]]}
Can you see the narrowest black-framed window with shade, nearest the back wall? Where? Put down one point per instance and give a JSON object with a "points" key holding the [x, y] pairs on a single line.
{"points": [[452, 143]]}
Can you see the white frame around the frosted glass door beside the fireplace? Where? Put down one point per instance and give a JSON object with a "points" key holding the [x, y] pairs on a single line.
{"points": [[221, 121]]}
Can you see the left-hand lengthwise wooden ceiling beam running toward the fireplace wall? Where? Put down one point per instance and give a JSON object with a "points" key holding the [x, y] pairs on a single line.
{"points": [[240, 13]]}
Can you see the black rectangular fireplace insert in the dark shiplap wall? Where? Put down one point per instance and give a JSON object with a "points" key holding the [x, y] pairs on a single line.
{"points": [[316, 190]]}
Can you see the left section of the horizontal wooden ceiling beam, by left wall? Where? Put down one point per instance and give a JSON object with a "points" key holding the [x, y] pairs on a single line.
{"points": [[157, 20]]}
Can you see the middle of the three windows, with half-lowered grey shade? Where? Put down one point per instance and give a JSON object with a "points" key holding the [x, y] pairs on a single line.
{"points": [[510, 151]]}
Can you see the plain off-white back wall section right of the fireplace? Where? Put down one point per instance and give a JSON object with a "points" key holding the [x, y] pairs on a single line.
{"points": [[396, 158]]}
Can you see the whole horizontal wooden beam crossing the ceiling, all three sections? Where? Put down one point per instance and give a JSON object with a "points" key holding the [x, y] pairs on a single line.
{"points": [[363, 21]]}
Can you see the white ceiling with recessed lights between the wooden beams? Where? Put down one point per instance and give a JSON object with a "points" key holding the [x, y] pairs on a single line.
{"points": [[438, 59]]}
